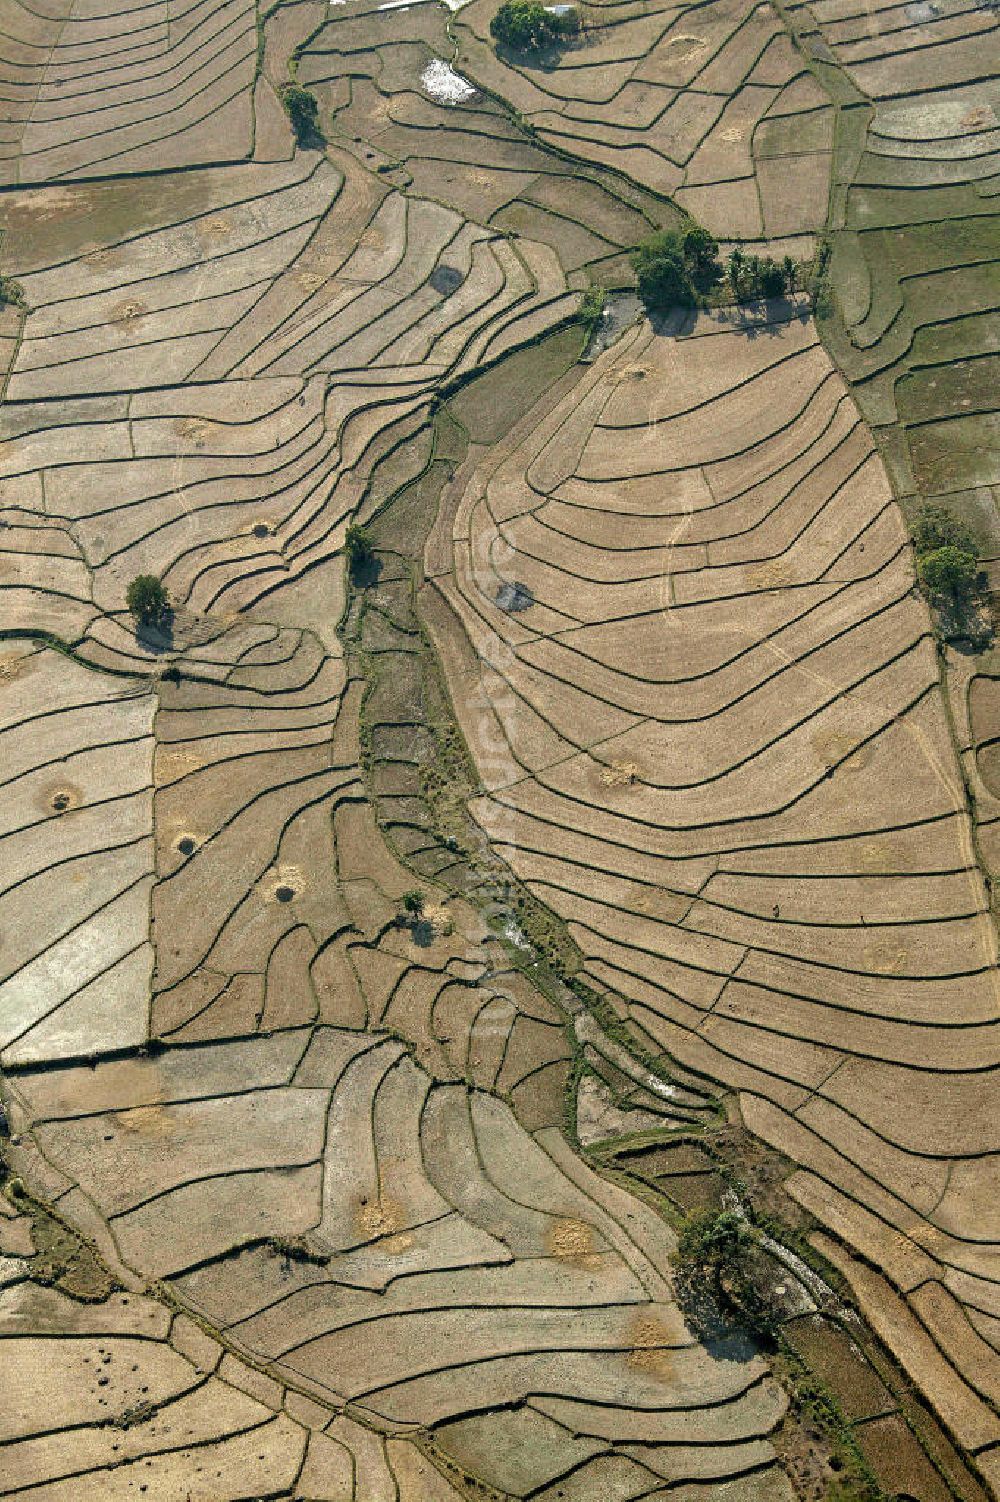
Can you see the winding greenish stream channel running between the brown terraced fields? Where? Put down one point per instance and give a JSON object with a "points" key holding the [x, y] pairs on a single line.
{"points": [[855, 1428]]}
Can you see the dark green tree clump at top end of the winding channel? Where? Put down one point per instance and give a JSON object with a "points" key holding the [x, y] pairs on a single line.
{"points": [[681, 268]]}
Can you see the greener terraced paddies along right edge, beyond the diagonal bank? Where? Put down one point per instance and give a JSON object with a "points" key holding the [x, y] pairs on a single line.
{"points": [[917, 283]]}
